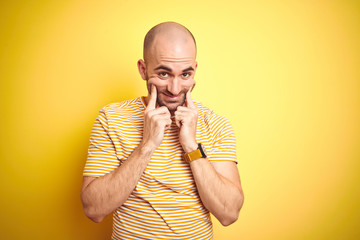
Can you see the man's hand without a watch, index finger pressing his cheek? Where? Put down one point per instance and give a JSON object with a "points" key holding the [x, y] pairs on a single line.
{"points": [[156, 121]]}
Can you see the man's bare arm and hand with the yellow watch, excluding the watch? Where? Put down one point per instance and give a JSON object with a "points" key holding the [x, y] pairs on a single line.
{"points": [[218, 182]]}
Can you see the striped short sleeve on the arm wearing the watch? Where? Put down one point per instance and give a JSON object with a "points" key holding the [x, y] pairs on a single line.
{"points": [[224, 145]]}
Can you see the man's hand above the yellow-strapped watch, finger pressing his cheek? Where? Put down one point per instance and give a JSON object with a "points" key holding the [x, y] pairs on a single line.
{"points": [[186, 119]]}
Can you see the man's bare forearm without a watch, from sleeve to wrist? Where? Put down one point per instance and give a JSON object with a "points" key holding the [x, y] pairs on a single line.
{"points": [[104, 194]]}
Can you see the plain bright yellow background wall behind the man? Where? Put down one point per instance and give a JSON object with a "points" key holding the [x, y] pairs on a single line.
{"points": [[285, 73]]}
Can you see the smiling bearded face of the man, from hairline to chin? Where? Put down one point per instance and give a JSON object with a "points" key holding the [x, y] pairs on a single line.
{"points": [[171, 68]]}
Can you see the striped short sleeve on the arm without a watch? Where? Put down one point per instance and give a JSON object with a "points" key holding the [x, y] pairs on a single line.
{"points": [[101, 157]]}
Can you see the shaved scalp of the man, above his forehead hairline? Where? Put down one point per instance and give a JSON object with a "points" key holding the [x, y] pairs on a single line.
{"points": [[171, 29]]}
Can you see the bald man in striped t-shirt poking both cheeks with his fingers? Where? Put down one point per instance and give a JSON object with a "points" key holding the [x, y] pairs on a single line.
{"points": [[162, 163]]}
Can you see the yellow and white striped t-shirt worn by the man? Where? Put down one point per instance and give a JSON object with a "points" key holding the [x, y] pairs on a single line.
{"points": [[165, 203]]}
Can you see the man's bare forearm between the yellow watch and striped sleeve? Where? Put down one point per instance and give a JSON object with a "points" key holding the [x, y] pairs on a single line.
{"points": [[219, 195]]}
